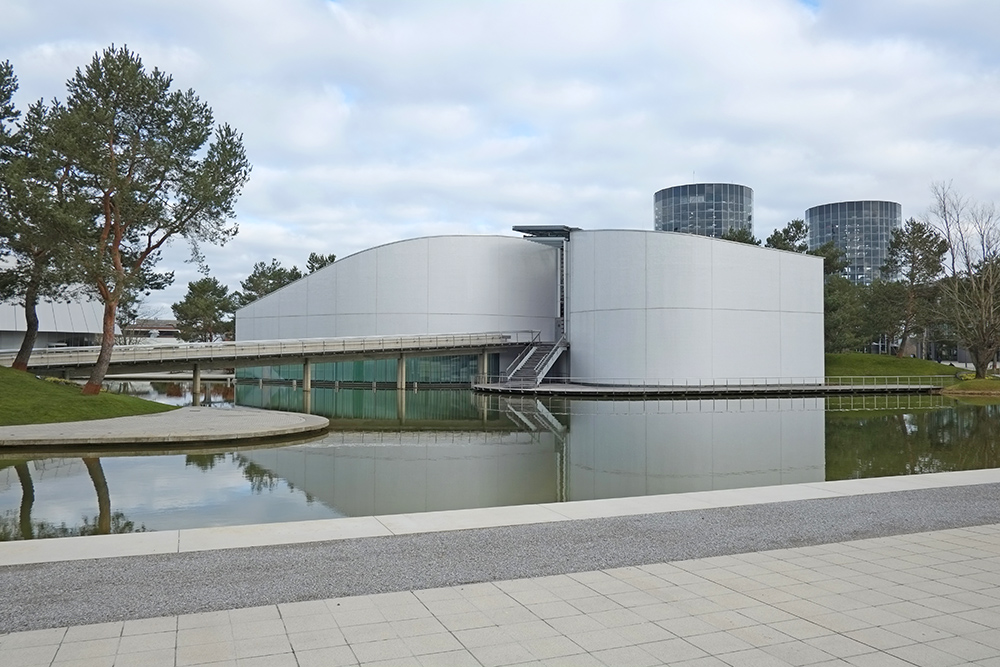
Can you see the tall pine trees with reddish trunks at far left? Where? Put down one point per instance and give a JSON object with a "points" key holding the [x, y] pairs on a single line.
{"points": [[93, 188]]}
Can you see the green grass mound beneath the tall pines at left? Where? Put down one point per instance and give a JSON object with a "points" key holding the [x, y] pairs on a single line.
{"points": [[24, 399]]}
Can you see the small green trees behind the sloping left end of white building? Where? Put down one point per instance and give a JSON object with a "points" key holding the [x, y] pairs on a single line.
{"points": [[207, 311]]}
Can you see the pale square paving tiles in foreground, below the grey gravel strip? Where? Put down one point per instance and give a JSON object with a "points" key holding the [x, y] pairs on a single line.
{"points": [[929, 600]]}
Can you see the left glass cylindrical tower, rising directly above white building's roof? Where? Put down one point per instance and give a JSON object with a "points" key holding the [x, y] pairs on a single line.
{"points": [[707, 209]]}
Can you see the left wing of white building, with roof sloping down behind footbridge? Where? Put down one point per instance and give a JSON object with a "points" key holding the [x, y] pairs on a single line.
{"points": [[438, 284]]}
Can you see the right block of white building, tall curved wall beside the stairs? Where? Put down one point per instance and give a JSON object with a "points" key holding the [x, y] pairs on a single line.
{"points": [[656, 306]]}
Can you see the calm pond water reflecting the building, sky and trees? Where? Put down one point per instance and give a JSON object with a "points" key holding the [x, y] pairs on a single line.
{"points": [[396, 452]]}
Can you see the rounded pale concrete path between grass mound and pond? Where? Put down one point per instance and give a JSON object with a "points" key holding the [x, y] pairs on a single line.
{"points": [[185, 425]]}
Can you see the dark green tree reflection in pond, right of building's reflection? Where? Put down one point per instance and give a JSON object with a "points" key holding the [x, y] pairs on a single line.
{"points": [[878, 444]]}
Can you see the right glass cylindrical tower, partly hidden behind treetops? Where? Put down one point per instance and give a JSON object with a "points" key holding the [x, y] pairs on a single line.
{"points": [[861, 229]]}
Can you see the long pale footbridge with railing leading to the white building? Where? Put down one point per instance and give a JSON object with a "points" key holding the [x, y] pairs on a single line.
{"points": [[224, 351]]}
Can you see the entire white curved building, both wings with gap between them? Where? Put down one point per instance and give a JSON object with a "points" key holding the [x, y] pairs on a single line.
{"points": [[634, 305]]}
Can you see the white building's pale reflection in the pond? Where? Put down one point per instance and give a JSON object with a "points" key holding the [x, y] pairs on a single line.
{"points": [[494, 451]]}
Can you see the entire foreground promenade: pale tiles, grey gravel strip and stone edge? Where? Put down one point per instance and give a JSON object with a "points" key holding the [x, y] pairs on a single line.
{"points": [[895, 571]]}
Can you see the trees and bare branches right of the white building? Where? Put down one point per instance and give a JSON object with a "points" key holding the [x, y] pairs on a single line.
{"points": [[940, 282]]}
